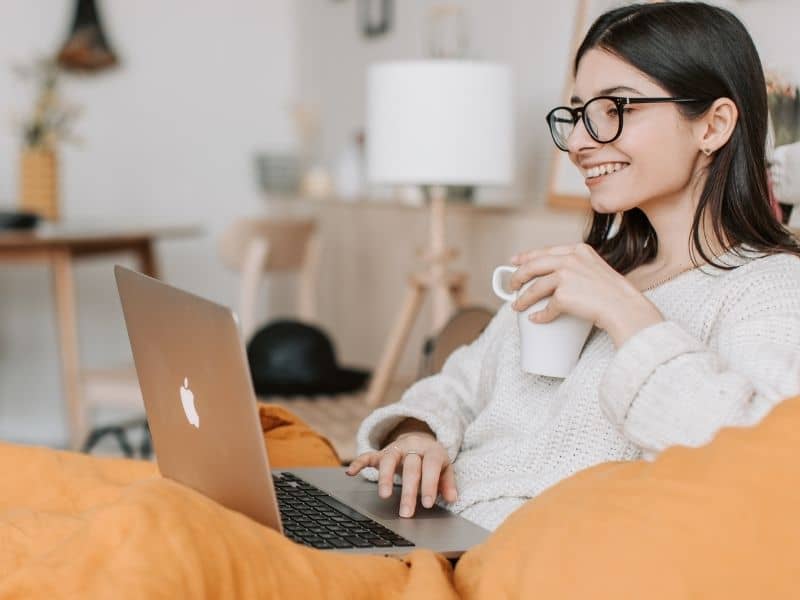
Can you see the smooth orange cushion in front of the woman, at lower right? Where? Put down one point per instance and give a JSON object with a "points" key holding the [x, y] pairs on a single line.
{"points": [[722, 521]]}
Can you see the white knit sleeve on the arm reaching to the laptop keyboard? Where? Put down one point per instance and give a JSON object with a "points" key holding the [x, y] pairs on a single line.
{"points": [[447, 402]]}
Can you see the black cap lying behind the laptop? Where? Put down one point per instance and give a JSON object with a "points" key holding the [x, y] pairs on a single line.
{"points": [[289, 358]]}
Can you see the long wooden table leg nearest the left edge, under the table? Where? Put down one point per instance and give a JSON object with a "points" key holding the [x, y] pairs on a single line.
{"points": [[66, 316]]}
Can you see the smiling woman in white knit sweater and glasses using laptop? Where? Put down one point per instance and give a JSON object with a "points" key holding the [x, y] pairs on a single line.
{"points": [[692, 284]]}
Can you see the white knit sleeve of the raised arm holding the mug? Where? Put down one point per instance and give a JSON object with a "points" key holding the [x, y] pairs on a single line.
{"points": [[664, 387]]}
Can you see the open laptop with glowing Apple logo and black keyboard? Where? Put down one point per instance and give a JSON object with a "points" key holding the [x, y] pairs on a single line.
{"points": [[203, 418]]}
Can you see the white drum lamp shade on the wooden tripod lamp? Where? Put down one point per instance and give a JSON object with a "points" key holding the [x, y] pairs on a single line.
{"points": [[439, 122]]}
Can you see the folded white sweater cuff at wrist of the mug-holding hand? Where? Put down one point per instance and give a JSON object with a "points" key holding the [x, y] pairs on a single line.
{"points": [[635, 362]]}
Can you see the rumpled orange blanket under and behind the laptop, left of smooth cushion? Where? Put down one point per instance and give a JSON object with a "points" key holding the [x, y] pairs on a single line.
{"points": [[74, 526]]}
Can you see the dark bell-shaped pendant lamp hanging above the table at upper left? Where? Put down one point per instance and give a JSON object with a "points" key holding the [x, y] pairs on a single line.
{"points": [[87, 48]]}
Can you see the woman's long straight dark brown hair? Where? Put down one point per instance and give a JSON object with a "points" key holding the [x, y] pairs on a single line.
{"points": [[698, 51]]}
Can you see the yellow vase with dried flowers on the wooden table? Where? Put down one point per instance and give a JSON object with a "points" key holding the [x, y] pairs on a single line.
{"points": [[38, 185]]}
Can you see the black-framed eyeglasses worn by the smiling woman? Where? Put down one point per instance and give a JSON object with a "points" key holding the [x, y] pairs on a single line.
{"points": [[602, 117]]}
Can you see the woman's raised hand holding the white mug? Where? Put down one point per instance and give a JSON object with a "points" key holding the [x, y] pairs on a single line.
{"points": [[582, 284]]}
